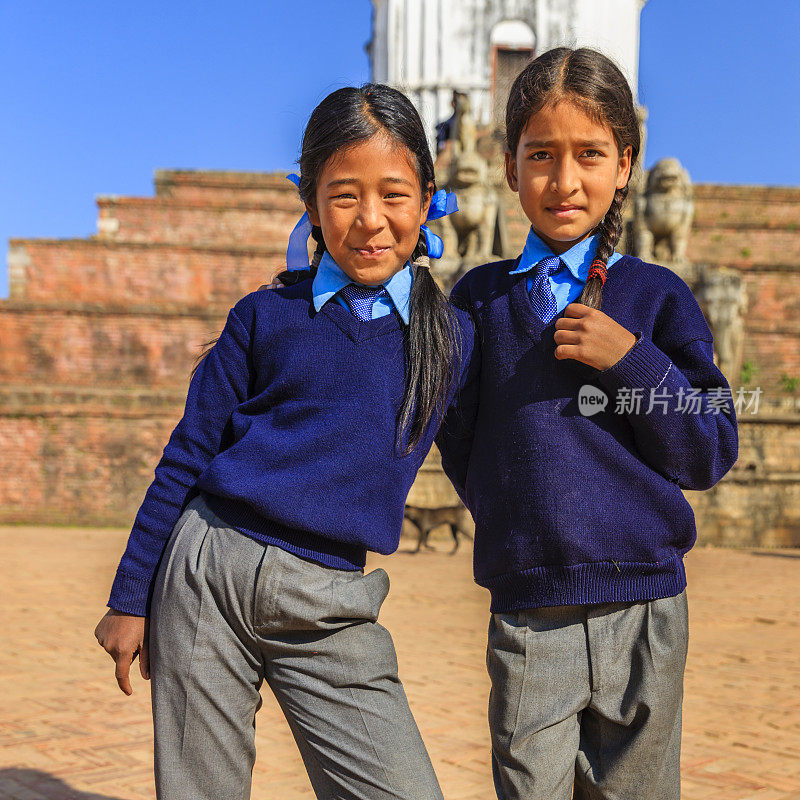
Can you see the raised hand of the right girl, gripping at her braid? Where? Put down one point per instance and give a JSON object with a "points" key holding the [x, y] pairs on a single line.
{"points": [[588, 335]]}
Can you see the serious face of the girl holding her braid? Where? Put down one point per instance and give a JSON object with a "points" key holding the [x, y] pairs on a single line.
{"points": [[566, 170]]}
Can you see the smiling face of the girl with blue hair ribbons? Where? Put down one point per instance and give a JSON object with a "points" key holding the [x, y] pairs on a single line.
{"points": [[369, 205]]}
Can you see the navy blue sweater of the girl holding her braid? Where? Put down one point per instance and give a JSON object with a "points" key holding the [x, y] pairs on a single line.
{"points": [[574, 509]]}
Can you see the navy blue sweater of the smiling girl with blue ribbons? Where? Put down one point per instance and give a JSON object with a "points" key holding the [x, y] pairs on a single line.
{"points": [[290, 433]]}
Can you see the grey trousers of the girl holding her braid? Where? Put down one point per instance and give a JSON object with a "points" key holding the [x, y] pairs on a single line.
{"points": [[588, 699]]}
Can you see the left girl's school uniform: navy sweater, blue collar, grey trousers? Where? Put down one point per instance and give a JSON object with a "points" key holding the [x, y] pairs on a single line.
{"points": [[284, 470]]}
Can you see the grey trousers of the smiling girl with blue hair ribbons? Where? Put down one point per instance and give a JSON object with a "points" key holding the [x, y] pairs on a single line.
{"points": [[228, 613]]}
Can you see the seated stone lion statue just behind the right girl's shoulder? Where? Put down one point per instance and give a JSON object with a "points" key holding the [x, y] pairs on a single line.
{"points": [[664, 214]]}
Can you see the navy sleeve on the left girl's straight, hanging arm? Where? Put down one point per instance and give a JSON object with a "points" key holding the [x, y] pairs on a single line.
{"points": [[218, 386]]}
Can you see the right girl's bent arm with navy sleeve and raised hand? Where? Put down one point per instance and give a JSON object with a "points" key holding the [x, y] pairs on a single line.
{"points": [[677, 401]]}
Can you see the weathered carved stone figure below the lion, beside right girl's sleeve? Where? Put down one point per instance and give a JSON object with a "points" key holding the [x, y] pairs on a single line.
{"points": [[723, 297]]}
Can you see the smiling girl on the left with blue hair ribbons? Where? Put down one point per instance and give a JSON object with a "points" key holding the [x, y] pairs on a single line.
{"points": [[305, 426]]}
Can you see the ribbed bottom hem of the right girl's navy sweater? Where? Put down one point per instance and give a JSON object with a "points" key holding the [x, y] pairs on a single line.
{"points": [[584, 584]]}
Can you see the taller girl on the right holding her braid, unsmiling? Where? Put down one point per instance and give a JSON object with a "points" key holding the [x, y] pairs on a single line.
{"points": [[572, 455]]}
